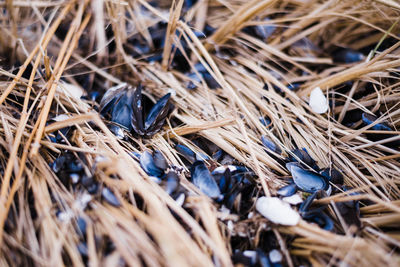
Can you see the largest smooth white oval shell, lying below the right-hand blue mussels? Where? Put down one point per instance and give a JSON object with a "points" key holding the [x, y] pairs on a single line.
{"points": [[277, 211]]}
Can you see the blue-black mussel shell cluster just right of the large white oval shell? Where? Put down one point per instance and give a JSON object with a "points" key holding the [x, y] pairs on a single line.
{"points": [[307, 177]]}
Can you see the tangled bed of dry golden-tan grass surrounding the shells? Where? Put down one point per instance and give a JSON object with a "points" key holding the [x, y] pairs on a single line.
{"points": [[53, 51]]}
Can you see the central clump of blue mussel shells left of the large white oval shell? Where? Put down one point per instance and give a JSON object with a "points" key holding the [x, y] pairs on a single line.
{"points": [[224, 184]]}
